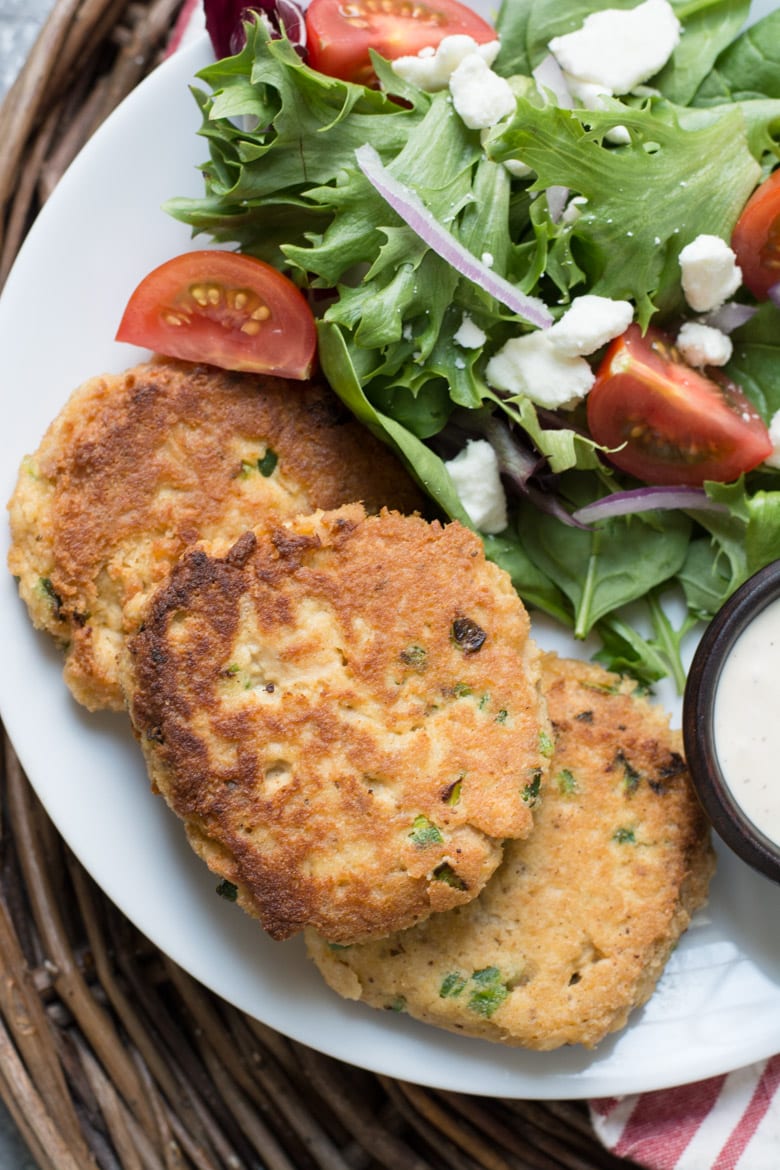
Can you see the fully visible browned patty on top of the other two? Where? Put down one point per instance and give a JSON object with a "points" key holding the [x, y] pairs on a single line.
{"points": [[347, 717]]}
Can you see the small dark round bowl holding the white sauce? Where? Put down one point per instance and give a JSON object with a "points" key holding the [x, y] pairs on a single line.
{"points": [[729, 821]]}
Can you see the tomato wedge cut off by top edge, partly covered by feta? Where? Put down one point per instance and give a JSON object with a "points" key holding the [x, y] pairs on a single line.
{"points": [[340, 33]]}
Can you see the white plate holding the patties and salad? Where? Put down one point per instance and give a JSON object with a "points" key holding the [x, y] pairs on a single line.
{"points": [[719, 1003]]}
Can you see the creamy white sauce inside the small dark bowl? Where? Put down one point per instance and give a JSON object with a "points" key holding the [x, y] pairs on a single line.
{"points": [[747, 721]]}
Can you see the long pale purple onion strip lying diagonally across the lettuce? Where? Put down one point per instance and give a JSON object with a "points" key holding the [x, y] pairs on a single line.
{"points": [[415, 214]]}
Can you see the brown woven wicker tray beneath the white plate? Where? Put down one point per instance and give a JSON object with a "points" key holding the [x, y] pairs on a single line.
{"points": [[111, 1056]]}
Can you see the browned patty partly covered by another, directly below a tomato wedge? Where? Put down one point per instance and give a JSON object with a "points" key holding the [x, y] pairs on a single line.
{"points": [[140, 466]]}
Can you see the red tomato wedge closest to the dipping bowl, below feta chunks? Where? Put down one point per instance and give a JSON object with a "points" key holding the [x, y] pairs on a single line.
{"points": [[678, 425]]}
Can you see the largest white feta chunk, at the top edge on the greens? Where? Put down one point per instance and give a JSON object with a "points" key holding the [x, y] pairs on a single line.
{"points": [[620, 49]]}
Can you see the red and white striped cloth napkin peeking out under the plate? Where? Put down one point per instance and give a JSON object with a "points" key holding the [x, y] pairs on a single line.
{"points": [[730, 1123]]}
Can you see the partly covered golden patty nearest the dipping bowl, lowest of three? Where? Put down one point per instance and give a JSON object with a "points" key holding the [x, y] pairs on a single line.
{"points": [[575, 928]]}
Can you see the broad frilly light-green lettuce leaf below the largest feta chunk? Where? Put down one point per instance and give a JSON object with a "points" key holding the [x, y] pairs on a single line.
{"points": [[633, 228]]}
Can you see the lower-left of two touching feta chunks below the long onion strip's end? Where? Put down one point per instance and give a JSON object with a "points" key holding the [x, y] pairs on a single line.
{"points": [[531, 366]]}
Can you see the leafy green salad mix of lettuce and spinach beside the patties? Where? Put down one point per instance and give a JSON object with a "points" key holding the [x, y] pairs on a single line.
{"points": [[282, 183]]}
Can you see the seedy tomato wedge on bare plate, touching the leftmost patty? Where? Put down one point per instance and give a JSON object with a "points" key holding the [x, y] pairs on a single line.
{"points": [[225, 309]]}
